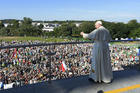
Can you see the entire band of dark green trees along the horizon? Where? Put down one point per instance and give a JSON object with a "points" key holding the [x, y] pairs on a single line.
{"points": [[68, 28]]}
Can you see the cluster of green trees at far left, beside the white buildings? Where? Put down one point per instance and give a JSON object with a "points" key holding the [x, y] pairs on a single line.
{"points": [[25, 28]]}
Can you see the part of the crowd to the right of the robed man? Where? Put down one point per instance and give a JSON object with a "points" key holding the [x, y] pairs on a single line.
{"points": [[123, 56]]}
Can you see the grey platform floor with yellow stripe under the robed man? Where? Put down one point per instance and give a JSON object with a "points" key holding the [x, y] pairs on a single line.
{"points": [[122, 79]]}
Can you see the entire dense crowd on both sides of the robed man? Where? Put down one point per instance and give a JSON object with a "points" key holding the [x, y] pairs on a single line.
{"points": [[20, 66]]}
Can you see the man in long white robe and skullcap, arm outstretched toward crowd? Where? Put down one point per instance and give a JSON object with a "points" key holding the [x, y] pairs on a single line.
{"points": [[101, 69]]}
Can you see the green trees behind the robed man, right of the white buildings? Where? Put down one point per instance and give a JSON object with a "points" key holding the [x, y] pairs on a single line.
{"points": [[117, 30]]}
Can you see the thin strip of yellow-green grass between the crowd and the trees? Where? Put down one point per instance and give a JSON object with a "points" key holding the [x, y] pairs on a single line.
{"points": [[51, 39]]}
